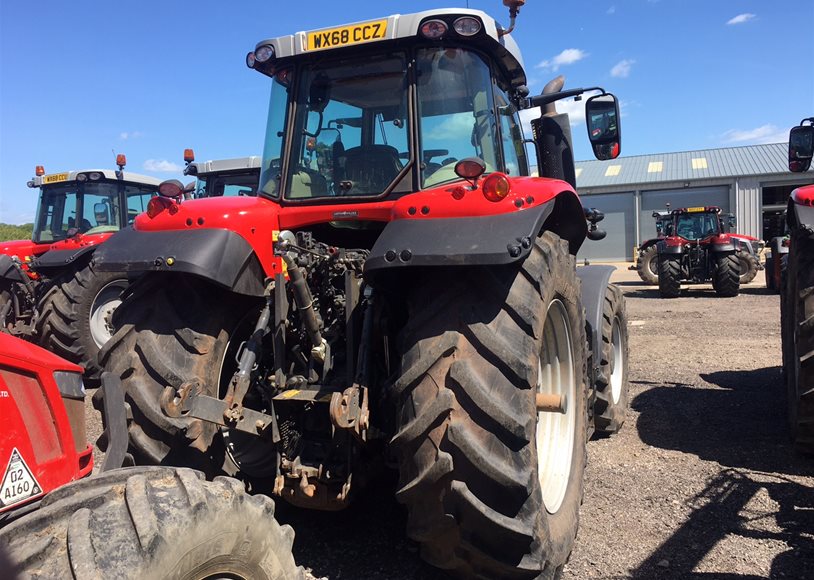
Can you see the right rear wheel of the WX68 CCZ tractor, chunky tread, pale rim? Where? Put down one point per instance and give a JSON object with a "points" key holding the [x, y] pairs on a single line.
{"points": [[492, 487]]}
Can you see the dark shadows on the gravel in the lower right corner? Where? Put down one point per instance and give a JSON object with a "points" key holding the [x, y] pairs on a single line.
{"points": [[741, 424]]}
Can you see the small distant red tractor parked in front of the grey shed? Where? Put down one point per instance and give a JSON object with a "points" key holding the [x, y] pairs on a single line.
{"points": [[698, 250]]}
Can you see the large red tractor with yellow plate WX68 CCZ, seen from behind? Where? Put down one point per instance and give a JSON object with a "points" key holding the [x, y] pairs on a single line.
{"points": [[401, 290]]}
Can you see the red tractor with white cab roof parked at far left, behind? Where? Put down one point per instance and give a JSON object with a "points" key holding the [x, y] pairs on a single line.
{"points": [[50, 293]]}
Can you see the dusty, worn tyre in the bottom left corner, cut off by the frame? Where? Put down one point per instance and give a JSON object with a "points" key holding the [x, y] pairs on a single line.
{"points": [[151, 523]]}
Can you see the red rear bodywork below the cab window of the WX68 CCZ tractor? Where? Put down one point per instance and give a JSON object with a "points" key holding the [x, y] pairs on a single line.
{"points": [[257, 219]]}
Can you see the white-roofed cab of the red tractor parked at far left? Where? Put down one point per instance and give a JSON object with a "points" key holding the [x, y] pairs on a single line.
{"points": [[88, 202]]}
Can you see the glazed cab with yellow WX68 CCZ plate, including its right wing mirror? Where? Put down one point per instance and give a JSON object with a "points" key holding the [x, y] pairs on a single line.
{"points": [[379, 109]]}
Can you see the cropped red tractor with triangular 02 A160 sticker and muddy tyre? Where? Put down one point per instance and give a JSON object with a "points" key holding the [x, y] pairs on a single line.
{"points": [[145, 522]]}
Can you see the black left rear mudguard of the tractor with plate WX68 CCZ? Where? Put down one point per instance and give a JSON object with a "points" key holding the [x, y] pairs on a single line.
{"points": [[219, 255]]}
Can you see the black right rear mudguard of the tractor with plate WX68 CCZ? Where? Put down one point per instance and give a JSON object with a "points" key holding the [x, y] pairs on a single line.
{"points": [[466, 241]]}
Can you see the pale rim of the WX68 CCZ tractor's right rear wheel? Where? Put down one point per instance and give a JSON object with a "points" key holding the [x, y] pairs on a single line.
{"points": [[556, 431]]}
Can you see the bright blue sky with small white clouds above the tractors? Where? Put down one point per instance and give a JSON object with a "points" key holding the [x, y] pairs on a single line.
{"points": [[81, 80]]}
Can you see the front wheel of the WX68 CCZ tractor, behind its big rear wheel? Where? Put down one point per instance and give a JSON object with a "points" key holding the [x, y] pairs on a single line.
{"points": [[611, 385]]}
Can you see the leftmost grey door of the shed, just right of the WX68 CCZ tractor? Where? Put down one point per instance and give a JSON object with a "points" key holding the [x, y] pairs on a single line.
{"points": [[618, 244]]}
